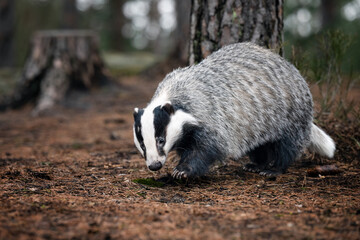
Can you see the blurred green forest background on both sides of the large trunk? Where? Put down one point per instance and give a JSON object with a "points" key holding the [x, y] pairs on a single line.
{"points": [[320, 36]]}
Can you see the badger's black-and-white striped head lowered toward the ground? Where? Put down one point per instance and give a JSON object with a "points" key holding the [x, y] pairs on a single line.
{"points": [[157, 128]]}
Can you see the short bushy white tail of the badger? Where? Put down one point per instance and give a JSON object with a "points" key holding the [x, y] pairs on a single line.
{"points": [[321, 143]]}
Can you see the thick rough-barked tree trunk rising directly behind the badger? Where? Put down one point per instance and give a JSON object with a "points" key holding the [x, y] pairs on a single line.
{"points": [[215, 23]]}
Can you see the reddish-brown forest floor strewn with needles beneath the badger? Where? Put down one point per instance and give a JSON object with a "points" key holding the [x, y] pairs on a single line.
{"points": [[69, 175]]}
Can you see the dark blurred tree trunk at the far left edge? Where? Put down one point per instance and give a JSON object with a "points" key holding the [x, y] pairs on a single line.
{"points": [[7, 8]]}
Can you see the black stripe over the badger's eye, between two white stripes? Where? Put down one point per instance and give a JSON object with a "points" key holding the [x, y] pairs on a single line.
{"points": [[161, 120]]}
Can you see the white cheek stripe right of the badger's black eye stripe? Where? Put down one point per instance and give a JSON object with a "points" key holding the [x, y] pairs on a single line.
{"points": [[175, 127]]}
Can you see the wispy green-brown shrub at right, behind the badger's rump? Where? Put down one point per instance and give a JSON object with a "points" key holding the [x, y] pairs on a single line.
{"points": [[326, 69]]}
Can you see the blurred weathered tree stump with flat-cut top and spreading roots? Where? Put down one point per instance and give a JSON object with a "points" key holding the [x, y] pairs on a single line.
{"points": [[58, 61]]}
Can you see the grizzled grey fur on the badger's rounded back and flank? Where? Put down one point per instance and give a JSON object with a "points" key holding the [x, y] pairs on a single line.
{"points": [[244, 96]]}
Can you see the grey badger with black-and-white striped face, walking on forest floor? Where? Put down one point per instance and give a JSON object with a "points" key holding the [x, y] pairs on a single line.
{"points": [[240, 100]]}
